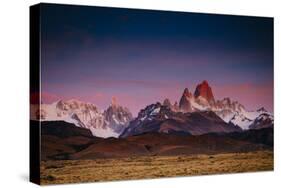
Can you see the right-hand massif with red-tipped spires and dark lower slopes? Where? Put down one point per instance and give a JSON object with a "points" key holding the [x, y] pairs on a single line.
{"points": [[198, 114]]}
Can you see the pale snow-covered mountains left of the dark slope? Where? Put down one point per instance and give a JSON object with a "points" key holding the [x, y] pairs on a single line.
{"points": [[87, 115]]}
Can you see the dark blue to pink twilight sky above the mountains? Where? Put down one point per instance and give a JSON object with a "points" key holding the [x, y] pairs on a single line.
{"points": [[141, 56]]}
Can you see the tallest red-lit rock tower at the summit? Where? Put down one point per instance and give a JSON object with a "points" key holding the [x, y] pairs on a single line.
{"points": [[204, 90]]}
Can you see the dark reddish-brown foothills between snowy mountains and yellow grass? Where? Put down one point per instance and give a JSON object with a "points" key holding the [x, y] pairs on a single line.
{"points": [[61, 140]]}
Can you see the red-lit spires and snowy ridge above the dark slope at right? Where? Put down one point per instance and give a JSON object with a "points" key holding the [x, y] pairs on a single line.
{"points": [[231, 112]]}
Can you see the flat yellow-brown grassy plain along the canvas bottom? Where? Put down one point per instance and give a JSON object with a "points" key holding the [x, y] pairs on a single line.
{"points": [[74, 171]]}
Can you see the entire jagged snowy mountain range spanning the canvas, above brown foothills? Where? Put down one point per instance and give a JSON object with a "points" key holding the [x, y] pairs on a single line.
{"points": [[195, 114]]}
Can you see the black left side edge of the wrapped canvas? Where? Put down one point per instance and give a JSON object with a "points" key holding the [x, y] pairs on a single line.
{"points": [[34, 81]]}
